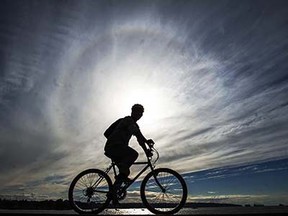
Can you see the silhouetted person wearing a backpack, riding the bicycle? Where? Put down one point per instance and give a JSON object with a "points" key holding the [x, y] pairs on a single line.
{"points": [[117, 145]]}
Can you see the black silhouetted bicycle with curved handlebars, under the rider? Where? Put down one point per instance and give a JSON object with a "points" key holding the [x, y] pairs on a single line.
{"points": [[163, 190]]}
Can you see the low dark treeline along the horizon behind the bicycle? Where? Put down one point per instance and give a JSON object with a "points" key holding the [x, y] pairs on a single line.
{"points": [[64, 205]]}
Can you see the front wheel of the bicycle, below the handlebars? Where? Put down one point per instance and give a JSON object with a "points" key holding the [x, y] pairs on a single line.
{"points": [[163, 191]]}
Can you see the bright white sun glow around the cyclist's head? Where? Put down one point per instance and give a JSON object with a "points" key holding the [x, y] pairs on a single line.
{"points": [[140, 80]]}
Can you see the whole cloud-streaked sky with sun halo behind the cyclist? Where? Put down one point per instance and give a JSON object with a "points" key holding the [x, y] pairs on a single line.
{"points": [[212, 76]]}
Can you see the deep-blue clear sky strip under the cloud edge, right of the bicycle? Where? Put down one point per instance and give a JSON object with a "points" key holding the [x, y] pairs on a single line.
{"points": [[254, 183]]}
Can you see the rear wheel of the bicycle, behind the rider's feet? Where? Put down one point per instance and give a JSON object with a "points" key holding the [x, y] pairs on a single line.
{"points": [[89, 191]]}
